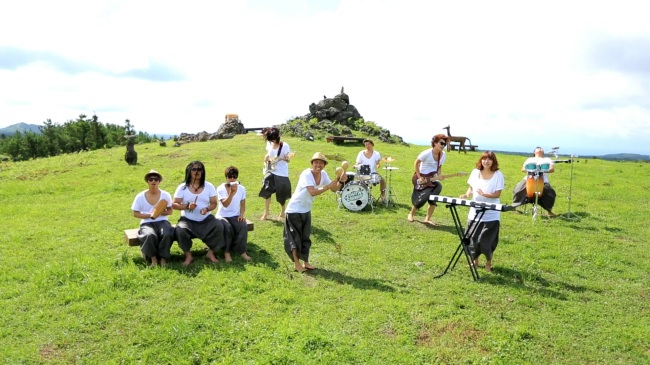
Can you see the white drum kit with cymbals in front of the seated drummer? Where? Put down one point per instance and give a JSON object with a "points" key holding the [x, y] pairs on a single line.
{"points": [[356, 194]]}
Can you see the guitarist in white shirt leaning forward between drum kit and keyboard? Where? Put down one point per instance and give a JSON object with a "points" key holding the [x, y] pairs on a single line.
{"points": [[428, 172]]}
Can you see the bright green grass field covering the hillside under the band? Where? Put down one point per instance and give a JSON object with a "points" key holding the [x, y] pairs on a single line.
{"points": [[562, 291]]}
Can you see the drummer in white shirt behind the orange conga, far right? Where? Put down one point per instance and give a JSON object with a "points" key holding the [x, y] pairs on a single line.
{"points": [[547, 198]]}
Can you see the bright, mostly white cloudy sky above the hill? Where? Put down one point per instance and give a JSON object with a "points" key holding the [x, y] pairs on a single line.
{"points": [[510, 75]]}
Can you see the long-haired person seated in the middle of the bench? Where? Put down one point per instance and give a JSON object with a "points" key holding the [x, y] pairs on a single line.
{"points": [[196, 198]]}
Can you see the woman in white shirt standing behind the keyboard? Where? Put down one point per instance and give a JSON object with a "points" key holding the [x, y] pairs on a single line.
{"points": [[485, 185]]}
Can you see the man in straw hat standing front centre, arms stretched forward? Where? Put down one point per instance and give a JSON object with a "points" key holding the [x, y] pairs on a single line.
{"points": [[297, 226]]}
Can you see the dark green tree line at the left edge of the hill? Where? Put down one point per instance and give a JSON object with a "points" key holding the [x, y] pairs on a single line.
{"points": [[83, 134]]}
